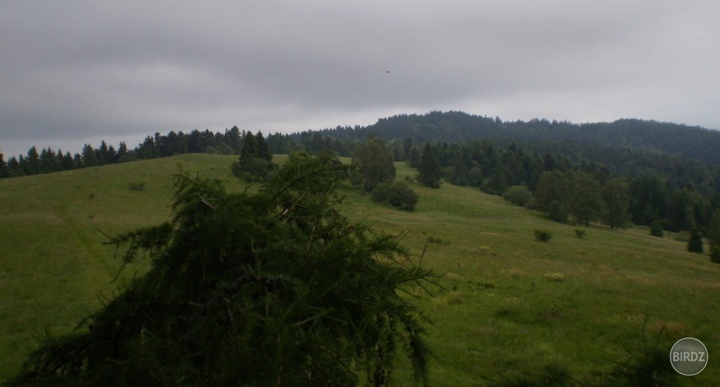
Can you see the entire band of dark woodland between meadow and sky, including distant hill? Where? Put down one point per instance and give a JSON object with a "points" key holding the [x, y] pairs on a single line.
{"points": [[671, 172]]}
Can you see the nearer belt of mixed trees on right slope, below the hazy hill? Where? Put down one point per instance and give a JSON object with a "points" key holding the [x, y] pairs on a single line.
{"points": [[573, 185]]}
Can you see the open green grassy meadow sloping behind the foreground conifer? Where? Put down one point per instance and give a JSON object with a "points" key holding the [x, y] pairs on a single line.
{"points": [[508, 305]]}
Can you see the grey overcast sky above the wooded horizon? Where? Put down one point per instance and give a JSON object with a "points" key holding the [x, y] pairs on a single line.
{"points": [[75, 72]]}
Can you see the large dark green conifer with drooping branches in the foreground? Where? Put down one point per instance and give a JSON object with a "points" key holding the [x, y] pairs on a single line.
{"points": [[269, 288]]}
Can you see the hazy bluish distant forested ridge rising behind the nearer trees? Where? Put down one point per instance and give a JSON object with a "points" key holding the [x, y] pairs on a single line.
{"points": [[671, 139]]}
